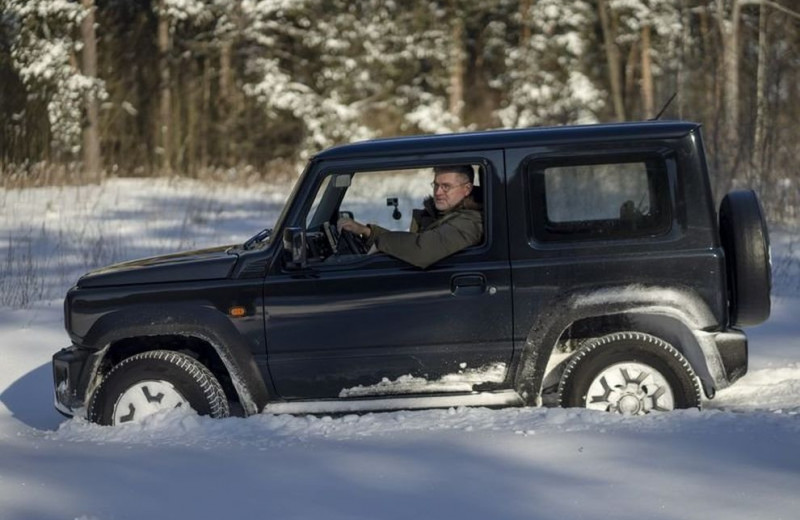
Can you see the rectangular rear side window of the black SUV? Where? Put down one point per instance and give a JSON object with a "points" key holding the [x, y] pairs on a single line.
{"points": [[584, 199]]}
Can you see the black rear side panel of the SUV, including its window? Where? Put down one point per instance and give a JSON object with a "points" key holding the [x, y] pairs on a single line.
{"points": [[597, 215]]}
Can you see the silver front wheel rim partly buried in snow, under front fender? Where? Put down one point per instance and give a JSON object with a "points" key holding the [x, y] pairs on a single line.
{"points": [[146, 398]]}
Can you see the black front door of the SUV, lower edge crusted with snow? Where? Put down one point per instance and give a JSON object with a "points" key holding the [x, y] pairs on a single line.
{"points": [[378, 327]]}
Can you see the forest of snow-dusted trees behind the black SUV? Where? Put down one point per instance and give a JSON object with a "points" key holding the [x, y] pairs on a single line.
{"points": [[242, 90]]}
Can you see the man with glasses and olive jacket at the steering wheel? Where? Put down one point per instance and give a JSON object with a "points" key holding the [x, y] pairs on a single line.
{"points": [[450, 221]]}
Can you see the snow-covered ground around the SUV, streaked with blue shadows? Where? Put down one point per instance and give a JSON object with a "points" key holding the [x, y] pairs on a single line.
{"points": [[739, 458]]}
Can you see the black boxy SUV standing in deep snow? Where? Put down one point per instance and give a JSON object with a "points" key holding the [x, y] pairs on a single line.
{"points": [[604, 280]]}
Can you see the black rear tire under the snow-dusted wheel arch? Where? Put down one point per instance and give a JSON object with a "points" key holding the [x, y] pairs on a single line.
{"points": [[607, 354]]}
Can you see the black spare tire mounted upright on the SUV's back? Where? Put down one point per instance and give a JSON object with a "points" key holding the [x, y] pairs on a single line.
{"points": [[745, 239]]}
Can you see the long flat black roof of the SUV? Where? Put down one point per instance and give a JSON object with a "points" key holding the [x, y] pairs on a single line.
{"points": [[493, 139]]}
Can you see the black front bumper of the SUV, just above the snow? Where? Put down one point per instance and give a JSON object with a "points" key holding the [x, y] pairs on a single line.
{"points": [[73, 370]]}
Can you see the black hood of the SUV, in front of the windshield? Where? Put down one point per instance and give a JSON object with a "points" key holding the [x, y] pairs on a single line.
{"points": [[203, 264]]}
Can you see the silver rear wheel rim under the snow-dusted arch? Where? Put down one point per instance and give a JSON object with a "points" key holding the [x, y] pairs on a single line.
{"points": [[630, 389]]}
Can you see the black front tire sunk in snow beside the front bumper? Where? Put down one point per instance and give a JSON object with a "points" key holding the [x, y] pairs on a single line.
{"points": [[189, 378]]}
